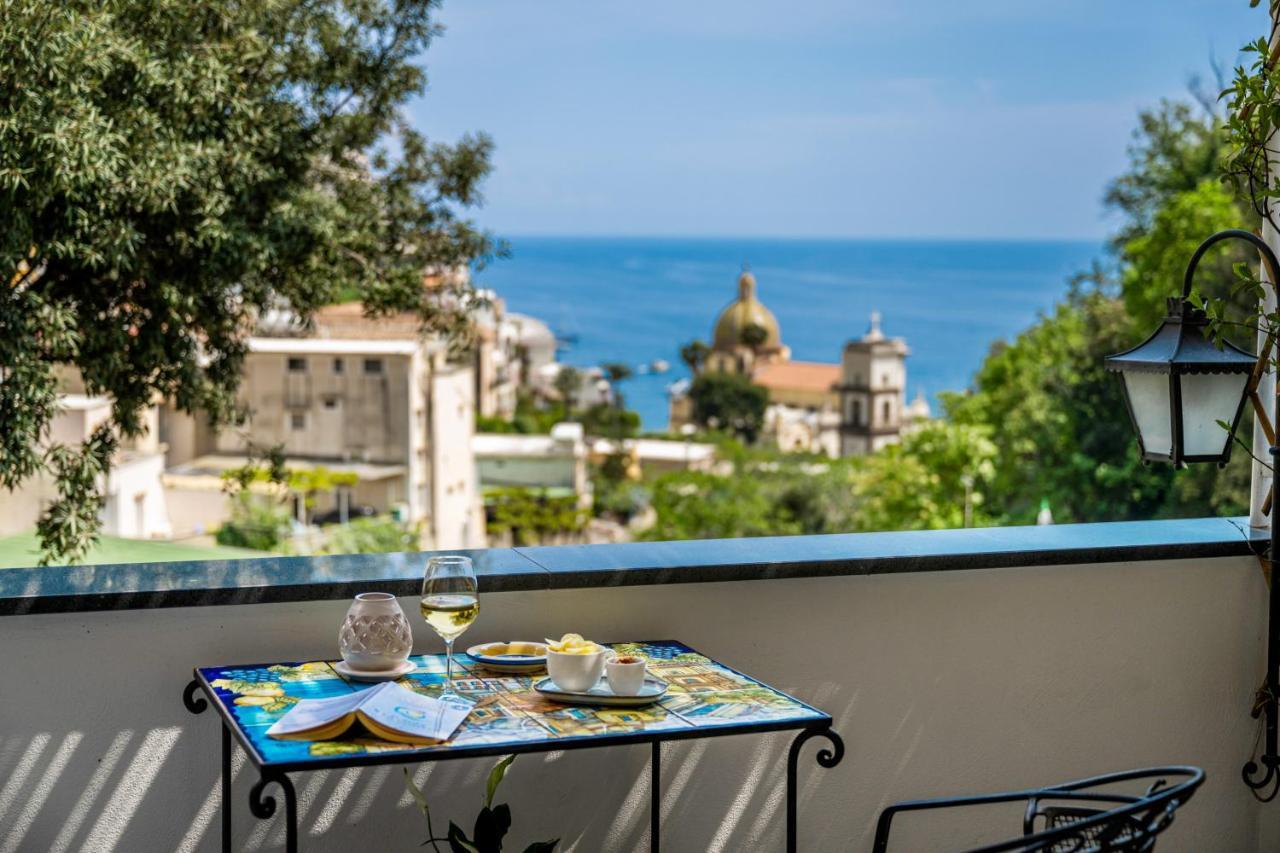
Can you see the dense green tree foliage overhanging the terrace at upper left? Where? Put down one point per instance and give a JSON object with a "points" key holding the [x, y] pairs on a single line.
{"points": [[172, 168]]}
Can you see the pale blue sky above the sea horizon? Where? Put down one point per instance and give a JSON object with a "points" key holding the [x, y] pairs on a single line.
{"points": [[820, 118]]}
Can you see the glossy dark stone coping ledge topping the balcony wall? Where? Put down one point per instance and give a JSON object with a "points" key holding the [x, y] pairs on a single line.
{"points": [[331, 578]]}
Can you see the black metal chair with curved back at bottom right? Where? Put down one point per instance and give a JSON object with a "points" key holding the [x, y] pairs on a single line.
{"points": [[1084, 816]]}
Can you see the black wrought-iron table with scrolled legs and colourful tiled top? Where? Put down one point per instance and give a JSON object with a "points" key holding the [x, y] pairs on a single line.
{"points": [[706, 700]]}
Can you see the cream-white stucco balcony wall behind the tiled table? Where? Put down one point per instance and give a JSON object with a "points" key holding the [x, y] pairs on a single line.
{"points": [[940, 685]]}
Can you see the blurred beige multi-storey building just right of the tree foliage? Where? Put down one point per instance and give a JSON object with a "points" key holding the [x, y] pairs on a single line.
{"points": [[392, 410]]}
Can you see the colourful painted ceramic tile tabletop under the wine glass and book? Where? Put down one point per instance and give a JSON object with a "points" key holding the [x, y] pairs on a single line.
{"points": [[705, 697]]}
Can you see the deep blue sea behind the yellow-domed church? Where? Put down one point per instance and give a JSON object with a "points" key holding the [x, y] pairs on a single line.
{"points": [[638, 300]]}
